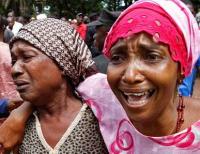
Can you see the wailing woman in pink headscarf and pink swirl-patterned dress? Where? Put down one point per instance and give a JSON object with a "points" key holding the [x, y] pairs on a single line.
{"points": [[151, 47]]}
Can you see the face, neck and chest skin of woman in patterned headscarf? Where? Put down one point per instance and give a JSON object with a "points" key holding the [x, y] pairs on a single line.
{"points": [[52, 96]]}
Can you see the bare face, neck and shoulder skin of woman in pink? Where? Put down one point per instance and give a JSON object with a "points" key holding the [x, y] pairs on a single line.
{"points": [[141, 73]]}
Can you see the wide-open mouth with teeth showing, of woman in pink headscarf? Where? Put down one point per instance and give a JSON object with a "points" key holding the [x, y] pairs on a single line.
{"points": [[139, 98]]}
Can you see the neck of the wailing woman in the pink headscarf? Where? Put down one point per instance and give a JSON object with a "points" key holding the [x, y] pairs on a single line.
{"points": [[163, 124]]}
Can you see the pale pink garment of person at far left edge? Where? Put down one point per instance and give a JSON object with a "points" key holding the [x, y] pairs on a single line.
{"points": [[7, 87]]}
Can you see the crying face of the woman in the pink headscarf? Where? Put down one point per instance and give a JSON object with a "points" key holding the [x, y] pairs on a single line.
{"points": [[143, 77]]}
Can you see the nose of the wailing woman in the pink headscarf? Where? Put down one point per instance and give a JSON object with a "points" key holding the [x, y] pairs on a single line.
{"points": [[133, 73]]}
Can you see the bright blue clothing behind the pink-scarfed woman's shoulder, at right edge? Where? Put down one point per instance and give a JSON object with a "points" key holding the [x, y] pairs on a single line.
{"points": [[186, 88]]}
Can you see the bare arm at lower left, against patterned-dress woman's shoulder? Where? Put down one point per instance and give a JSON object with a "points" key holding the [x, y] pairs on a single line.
{"points": [[12, 130]]}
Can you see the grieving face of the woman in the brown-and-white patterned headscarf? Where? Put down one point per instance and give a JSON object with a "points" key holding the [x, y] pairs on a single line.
{"points": [[37, 77]]}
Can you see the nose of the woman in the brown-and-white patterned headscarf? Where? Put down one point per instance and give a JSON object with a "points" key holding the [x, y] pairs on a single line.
{"points": [[17, 69]]}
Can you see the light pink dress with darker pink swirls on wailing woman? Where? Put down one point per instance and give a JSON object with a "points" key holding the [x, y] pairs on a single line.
{"points": [[120, 135]]}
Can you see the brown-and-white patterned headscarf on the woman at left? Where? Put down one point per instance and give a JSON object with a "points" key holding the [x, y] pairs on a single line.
{"points": [[58, 40]]}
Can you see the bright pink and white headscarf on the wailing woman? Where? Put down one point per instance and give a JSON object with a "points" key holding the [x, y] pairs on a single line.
{"points": [[168, 21]]}
